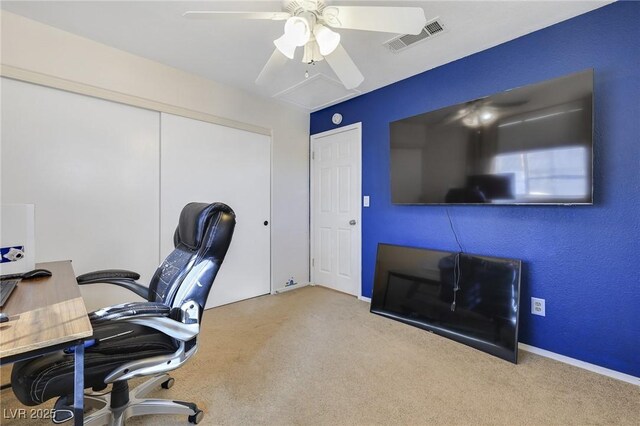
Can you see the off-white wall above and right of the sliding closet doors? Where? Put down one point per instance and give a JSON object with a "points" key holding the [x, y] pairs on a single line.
{"points": [[32, 46]]}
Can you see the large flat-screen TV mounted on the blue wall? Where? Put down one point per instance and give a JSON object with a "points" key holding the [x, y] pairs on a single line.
{"points": [[530, 145]]}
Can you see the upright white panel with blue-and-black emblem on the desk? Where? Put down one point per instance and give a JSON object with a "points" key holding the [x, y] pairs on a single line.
{"points": [[17, 244]]}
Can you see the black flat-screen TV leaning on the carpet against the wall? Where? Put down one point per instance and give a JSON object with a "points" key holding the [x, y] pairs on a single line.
{"points": [[418, 286]]}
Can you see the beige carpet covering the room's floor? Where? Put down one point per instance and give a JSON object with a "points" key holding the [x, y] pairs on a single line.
{"points": [[316, 357]]}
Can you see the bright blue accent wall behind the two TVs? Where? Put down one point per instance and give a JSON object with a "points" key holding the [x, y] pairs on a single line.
{"points": [[584, 260]]}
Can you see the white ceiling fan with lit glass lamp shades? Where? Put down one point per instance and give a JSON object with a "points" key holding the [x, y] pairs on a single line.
{"points": [[307, 25]]}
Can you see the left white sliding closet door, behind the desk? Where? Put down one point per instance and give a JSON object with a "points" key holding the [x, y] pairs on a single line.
{"points": [[91, 167]]}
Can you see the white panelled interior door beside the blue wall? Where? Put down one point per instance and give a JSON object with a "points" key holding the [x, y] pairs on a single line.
{"points": [[336, 227]]}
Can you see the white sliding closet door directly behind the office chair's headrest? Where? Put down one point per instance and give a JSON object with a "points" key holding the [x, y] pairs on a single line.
{"points": [[206, 162]]}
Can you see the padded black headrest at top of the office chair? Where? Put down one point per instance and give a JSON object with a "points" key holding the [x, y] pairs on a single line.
{"points": [[194, 220]]}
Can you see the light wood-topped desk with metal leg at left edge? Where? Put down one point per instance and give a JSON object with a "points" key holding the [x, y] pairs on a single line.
{"points": [[46, 315]]}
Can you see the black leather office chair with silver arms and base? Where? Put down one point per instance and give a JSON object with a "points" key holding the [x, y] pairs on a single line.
{"points": [[141, 338]]}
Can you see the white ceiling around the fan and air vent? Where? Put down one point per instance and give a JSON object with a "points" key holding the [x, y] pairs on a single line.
{"points": [[234, 51]]}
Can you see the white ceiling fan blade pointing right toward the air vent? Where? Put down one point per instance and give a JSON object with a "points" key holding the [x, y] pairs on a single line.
{"points": [[401, 20]]}
